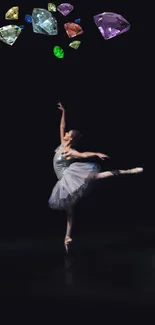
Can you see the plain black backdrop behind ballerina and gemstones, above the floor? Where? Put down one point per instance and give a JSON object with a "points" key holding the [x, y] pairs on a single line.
{"points": [[102, 88]]}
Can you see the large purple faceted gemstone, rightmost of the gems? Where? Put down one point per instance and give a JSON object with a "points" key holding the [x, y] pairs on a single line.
{"points": [[111, 24]]}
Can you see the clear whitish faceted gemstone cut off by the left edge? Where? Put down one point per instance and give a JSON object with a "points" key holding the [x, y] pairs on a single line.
{"points": [[9, 34]]}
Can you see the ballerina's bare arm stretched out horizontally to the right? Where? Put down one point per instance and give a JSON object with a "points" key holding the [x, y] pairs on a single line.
{"points": [[78, 155]]}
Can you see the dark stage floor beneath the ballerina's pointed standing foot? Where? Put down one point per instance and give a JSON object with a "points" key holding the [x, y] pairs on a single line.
{"points": [[104, 276]]}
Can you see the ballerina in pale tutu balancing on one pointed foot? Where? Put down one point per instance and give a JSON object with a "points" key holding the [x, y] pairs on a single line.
{"points": [[74, 176]]}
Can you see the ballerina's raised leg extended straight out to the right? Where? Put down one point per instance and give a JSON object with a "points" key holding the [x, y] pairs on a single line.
{"points": [[119, 172]]}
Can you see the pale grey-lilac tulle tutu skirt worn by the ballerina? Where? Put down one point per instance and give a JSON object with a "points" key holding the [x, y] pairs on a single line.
{"points": [[76, 180]]}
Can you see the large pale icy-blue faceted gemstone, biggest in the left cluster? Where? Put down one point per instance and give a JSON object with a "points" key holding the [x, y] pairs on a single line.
{"points": [[44, 22]]}
